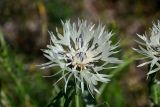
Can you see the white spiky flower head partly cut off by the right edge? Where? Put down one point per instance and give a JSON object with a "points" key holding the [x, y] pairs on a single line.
{"points": [[150, 48]]}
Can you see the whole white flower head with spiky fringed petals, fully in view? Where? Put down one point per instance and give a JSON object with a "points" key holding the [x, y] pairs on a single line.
{"points": [[78, 53]]}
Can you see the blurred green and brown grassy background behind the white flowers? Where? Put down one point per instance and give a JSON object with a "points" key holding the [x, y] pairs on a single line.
{"points": [[23, 32]]}
